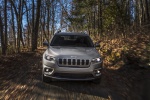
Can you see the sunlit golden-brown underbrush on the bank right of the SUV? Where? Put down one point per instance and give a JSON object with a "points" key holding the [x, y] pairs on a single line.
{"points": [[119, 51]]}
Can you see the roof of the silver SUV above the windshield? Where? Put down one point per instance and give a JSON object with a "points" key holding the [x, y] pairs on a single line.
{"points": [[72, 33]]}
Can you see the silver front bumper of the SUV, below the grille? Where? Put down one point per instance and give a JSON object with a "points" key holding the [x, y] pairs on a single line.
{"points": [[52, 70]]}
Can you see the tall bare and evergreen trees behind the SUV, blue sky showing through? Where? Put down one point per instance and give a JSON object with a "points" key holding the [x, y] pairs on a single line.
{"points": [[28, 23]]}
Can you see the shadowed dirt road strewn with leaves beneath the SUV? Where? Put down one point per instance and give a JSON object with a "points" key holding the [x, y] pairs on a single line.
{"points": [[20, 78]]}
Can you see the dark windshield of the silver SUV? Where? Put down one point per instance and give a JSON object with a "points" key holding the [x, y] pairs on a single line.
{"points": [[71, 41]]}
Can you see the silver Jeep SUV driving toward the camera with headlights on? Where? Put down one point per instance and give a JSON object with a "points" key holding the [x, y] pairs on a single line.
{"points": [[71, 56]]}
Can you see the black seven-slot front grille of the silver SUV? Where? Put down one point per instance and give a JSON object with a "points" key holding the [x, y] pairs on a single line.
{"points": [[73, 62]]}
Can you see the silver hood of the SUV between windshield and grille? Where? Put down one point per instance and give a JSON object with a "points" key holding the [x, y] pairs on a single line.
{"points": [[89, 52]]}
